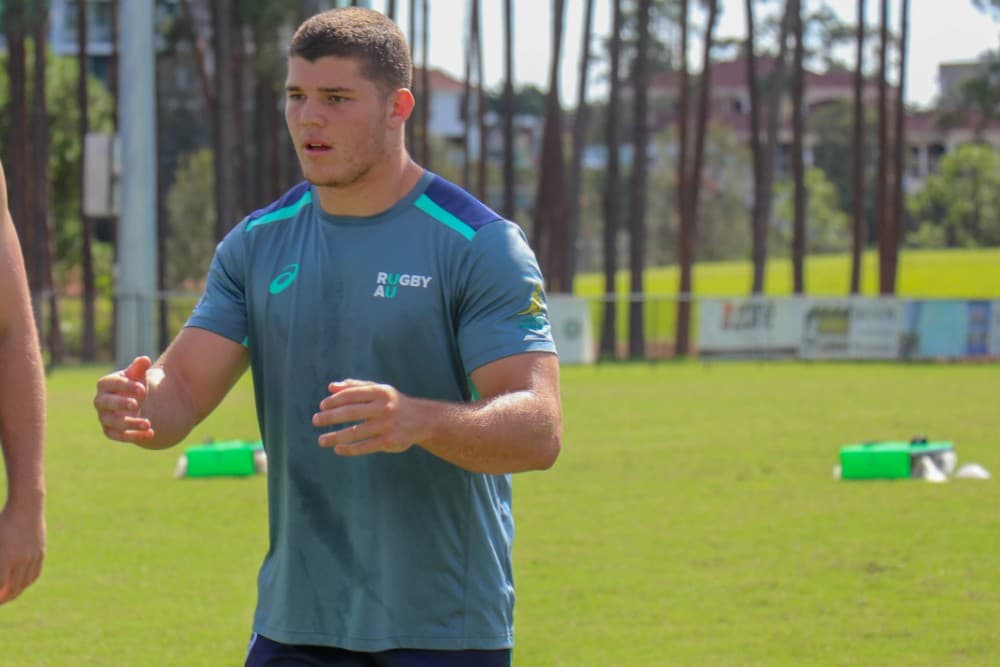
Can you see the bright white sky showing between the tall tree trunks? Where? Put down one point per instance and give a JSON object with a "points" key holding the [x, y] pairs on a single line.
{"points": [[940, 31]]}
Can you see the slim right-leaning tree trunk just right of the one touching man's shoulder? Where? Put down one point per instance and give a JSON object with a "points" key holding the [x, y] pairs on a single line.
{"points": [[581, 121]]}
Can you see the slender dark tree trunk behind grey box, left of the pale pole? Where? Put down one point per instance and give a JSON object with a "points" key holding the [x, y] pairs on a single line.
{"points": [[87, 258]]}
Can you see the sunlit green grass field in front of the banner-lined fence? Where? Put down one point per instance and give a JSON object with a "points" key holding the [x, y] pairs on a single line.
{"points": [[692, 519]]}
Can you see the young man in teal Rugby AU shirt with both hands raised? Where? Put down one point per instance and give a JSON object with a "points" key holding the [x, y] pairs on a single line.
{"points": [[403, 368]]}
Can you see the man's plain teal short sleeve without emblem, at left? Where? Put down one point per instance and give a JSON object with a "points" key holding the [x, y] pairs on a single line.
{"points": [[222, 307]]}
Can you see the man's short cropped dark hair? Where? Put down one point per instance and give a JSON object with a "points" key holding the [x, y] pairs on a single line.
{"points": [[356, 32]]}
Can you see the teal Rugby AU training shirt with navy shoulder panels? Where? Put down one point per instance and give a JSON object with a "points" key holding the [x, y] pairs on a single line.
{"points": [[388, 550]]}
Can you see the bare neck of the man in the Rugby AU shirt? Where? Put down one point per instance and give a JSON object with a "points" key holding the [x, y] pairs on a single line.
{"points": [[375, 192]]}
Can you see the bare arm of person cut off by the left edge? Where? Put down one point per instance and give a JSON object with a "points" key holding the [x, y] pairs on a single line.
{"points": [[22, 419]]}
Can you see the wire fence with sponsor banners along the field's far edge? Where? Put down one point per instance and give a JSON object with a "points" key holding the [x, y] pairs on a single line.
{"points": [[805, 327]]}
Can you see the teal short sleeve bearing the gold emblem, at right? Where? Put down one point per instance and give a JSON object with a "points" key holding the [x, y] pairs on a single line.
{"points": [[502, 309]]}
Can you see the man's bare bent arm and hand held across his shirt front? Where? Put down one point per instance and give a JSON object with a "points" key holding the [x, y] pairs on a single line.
{"points": [[515, 426]]}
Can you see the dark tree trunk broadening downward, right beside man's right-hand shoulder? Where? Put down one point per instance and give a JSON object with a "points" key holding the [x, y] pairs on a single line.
{"points": [[549, 229]]}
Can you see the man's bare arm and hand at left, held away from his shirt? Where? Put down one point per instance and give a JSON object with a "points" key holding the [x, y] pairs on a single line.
{"points": [[156, 405]]}
